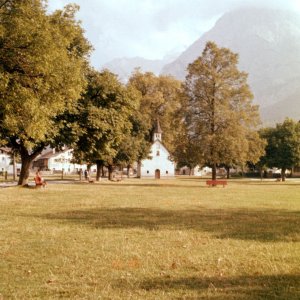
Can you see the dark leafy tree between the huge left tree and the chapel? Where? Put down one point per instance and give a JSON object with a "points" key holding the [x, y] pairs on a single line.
{"points": [[103, 117]]}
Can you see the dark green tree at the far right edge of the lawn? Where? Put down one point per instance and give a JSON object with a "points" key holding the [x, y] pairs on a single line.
{"points": [[283, 146]]}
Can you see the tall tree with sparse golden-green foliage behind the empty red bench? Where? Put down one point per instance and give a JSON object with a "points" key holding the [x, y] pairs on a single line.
{"points": [[220, 116]]}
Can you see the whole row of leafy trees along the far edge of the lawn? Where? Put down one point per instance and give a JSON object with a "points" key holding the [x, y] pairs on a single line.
{"points": [[51, 96]]}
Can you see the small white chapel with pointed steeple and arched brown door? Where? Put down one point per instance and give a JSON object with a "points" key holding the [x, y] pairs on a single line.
{"points": [[158, 165]]}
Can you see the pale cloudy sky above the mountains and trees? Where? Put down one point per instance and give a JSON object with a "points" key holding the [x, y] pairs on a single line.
{"points": [[153, 29]]}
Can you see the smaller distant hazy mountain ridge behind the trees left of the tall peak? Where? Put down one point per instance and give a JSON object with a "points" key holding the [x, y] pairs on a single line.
{"points": [[123, 67]]}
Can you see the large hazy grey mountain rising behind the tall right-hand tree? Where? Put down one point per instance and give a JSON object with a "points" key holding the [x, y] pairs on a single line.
{"points": [[268, 44]]}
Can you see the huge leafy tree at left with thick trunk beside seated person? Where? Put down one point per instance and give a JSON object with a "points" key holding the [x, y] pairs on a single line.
{"points": [[42, 62]]}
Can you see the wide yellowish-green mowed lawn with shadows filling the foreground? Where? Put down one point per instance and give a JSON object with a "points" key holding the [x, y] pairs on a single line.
{"points": [[146, 239]]}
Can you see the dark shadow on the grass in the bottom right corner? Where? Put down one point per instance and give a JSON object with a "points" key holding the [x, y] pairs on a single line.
{"points": [[243, 287]]}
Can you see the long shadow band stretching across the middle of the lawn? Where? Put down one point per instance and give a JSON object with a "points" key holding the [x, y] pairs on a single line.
{"points": [[262, 225]]}
